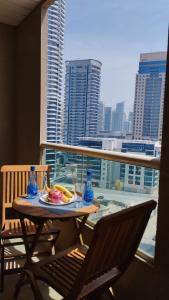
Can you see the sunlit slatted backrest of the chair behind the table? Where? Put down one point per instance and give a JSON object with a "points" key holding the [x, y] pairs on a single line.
{"points": [[15, 180]]}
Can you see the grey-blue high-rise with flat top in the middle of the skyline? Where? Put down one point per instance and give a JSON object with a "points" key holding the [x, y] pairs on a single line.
{"points": [[82, 92]]}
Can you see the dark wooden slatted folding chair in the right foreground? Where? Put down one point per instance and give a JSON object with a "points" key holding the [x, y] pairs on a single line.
{"points": [[80, 272]]}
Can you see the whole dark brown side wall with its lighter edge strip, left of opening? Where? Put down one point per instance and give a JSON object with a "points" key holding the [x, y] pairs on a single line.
{"points": [[22, 87]]}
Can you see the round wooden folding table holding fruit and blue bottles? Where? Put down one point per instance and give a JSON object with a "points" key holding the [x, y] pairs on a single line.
{"points": [[39, 213]]}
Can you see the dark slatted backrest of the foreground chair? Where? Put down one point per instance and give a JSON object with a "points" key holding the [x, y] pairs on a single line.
{"points": [[116, 239]]}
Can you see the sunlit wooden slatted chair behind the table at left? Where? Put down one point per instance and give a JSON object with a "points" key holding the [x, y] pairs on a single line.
{"points": [[15, 180]]}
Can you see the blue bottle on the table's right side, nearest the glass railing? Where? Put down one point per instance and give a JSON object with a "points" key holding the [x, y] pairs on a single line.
{"points": [[88, 194]]}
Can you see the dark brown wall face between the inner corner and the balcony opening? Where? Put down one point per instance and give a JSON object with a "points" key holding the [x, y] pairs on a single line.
{"points": [[28, 57]]}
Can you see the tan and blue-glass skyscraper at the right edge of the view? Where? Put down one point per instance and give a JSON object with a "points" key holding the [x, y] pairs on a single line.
{"points": [[149, 96]]}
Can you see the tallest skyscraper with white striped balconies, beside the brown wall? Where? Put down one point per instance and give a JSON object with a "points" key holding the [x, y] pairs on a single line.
{"points": [[55, 67]]}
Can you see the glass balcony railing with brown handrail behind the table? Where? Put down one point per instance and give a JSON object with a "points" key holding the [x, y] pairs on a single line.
{"points": [[115, 186]]}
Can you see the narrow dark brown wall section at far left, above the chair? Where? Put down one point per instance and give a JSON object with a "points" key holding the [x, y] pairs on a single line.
{"points": [[7, 92]]}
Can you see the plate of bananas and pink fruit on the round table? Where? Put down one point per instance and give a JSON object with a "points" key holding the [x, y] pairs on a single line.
{"points": [[58, 195]]}
